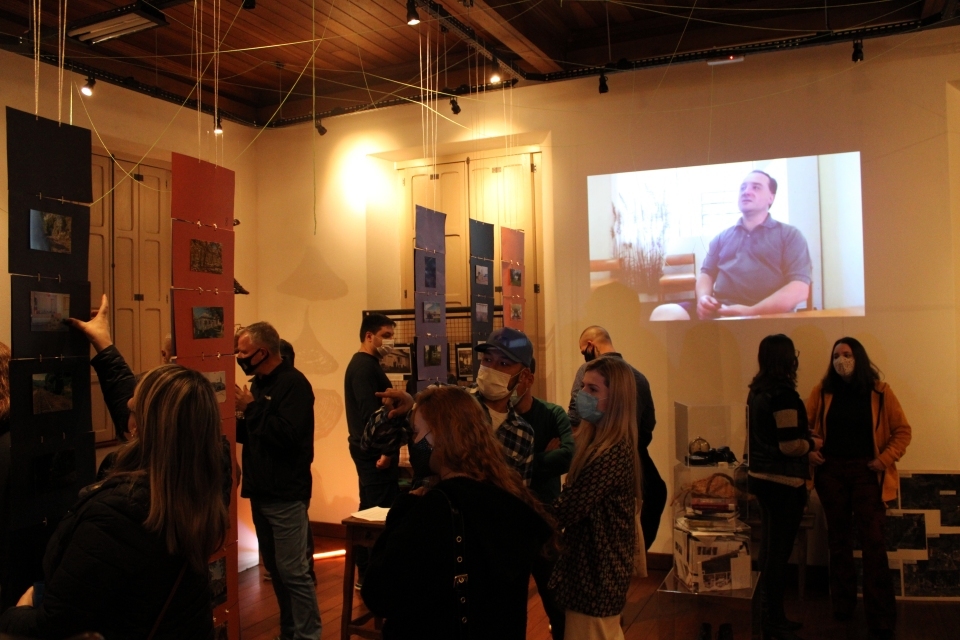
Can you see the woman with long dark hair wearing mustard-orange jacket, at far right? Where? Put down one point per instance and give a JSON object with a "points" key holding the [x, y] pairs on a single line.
{"points": [[865, 432]]}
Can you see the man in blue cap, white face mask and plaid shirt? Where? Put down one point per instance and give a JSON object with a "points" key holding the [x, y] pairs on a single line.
{"points": [[504, 357]]}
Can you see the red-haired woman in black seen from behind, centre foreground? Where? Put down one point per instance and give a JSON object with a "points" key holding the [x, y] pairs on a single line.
{"points": [[473, 536]]}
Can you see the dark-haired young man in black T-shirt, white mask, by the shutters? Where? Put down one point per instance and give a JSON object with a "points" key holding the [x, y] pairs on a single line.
{"points": [[377, 470]]}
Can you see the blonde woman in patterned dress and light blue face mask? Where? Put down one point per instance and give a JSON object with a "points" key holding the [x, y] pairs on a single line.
{"points": [[597, 509]]}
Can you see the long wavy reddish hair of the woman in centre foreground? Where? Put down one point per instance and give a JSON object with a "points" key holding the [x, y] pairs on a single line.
{"points": [[463, 441]]}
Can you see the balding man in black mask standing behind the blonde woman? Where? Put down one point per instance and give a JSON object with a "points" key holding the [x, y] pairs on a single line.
{"points": [[595, 343]]}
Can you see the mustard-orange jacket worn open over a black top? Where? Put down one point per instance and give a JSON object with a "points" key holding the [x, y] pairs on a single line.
{"points": [[891, 431]]}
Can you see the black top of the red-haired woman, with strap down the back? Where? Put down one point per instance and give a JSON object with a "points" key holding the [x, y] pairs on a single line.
{"points": [[409, 580]]}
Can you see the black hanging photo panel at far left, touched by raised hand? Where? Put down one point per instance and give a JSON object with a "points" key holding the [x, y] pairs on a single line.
{"points": [[50, 189]]}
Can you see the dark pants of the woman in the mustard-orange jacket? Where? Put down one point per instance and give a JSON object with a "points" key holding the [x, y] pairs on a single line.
{"points": [[851, 497]]}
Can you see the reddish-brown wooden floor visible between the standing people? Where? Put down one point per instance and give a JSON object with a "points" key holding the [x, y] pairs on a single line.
{"points": [[259, 616]]}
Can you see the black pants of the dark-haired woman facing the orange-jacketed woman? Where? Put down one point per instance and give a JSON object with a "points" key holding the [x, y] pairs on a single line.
{"points": [[781, 509]]}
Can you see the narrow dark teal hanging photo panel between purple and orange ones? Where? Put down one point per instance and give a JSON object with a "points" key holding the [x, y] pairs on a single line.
{"points": [[481, 288]]}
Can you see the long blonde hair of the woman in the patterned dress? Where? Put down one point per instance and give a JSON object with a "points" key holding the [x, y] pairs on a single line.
{"points": [[619, 421]]}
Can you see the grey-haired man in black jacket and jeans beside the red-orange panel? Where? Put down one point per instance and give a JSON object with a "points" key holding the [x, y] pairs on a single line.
{"points": [[277, 435]]}
